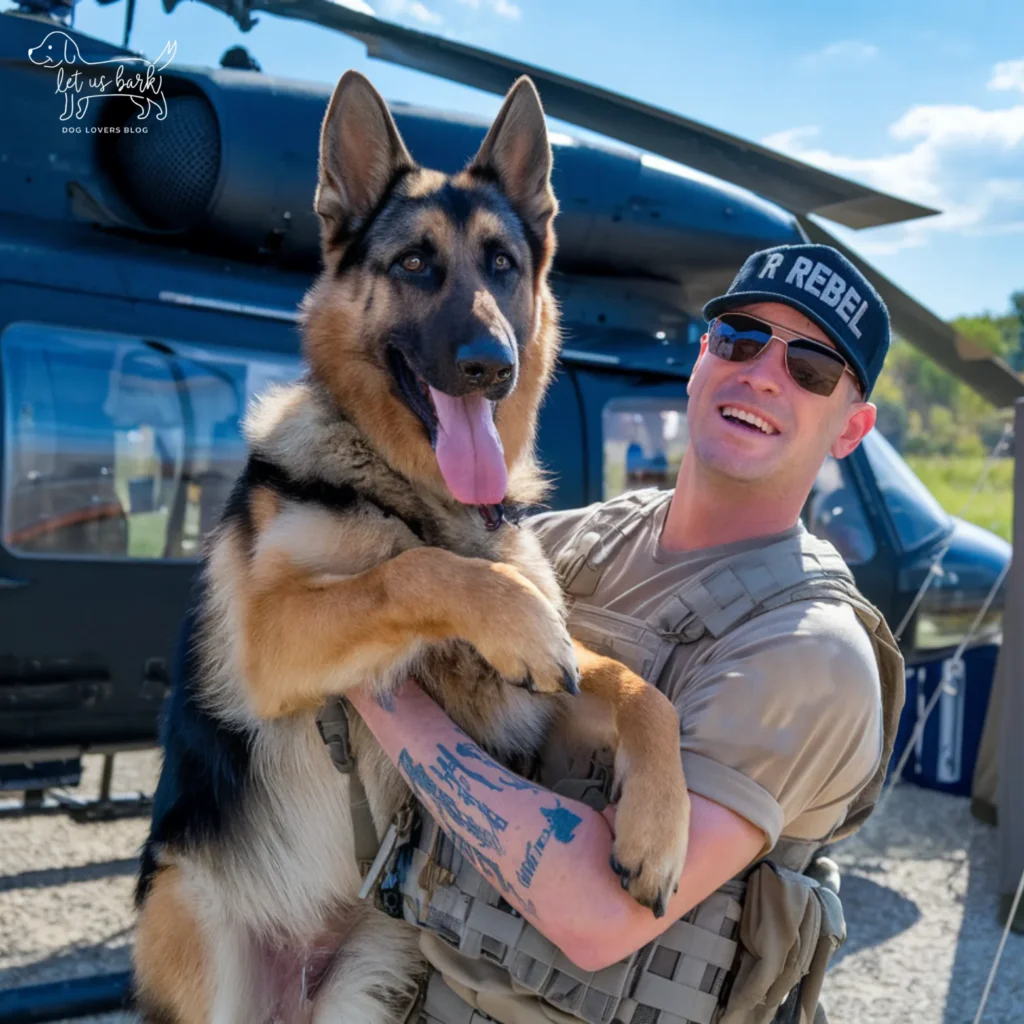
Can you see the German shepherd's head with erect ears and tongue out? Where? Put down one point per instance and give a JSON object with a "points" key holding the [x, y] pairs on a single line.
{"points": [[433, 324]]}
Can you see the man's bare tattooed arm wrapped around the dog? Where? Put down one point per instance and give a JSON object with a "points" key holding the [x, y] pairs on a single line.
{"points": [[549, 856]]}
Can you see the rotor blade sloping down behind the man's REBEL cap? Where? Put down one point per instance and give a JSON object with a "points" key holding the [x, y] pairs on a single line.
{"points": [[994, 379]]}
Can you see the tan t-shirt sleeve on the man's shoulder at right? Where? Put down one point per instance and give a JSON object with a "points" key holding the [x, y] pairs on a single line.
{"points": [[782, 720]]}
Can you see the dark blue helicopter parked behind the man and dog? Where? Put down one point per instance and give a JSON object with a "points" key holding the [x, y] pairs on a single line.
{"points": [[153, 255]]}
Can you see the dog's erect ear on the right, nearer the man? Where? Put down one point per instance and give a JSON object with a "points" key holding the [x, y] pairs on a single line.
{"points": [[518, 155]]}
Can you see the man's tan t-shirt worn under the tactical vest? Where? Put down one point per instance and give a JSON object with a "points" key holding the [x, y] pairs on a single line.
{"points": [[781, 720]]}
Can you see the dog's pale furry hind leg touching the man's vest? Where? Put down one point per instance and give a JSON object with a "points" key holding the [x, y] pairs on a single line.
{"points": [[375, 975]]}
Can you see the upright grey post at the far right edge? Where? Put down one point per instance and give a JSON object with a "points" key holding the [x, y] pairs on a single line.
{"points": [[1011, 793]]}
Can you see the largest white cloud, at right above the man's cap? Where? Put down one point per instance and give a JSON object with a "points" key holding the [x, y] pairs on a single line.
{"points": [[965, 161]]}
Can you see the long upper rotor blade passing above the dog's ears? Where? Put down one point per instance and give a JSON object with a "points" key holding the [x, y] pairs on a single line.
{"points": [[795, 186]]}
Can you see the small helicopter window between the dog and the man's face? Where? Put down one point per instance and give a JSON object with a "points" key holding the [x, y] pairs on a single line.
{"points": [[645, 442]]}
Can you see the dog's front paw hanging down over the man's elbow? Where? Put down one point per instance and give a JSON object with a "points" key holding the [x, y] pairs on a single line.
{"points": [[652, 838]]}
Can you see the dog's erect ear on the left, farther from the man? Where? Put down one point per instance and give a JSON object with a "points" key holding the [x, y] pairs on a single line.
{"points": [[361, 153]]}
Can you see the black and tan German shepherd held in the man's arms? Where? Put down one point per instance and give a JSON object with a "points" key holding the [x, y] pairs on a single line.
{"points": [[355, 550]]}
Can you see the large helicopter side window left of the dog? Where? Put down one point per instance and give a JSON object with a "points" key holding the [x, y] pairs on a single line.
{"points": [[117, 447]]}
